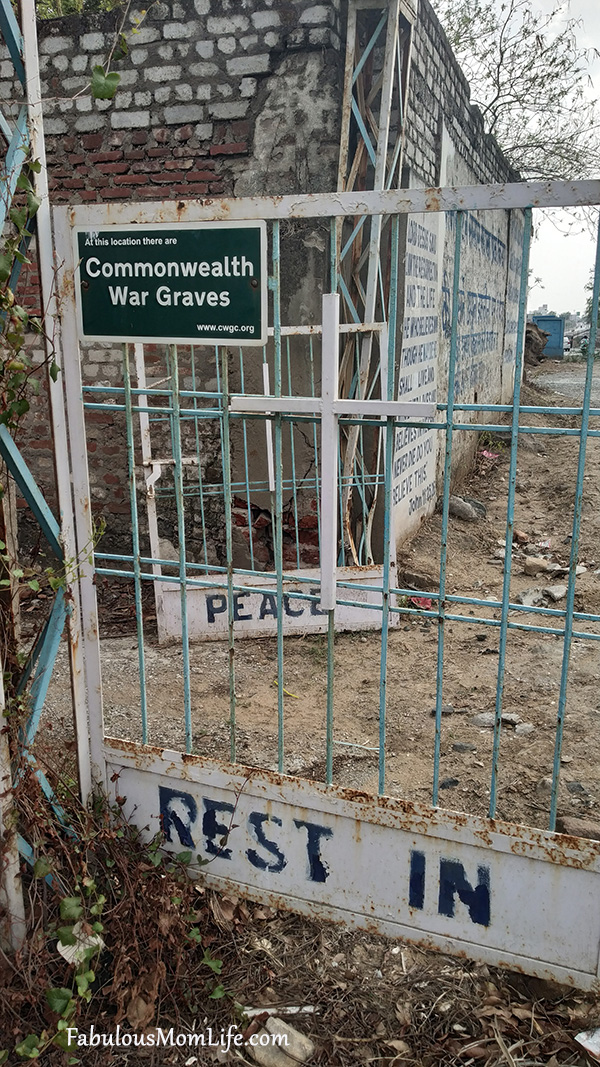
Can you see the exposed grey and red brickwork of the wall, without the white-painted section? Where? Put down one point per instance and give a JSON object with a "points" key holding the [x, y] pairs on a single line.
{"points": [[220, 99]]}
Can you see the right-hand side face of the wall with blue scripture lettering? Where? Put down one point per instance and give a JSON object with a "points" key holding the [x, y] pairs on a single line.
{"points": [[447, 146]]}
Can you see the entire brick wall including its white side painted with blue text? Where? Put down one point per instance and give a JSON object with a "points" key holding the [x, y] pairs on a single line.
{"points": [[235, 99]]}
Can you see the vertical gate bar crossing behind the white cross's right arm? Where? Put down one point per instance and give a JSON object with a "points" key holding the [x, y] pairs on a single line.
{"points": [[390, 337]]}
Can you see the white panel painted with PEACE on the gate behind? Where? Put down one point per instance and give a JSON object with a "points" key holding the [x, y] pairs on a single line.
{"points": [[256, 613]]}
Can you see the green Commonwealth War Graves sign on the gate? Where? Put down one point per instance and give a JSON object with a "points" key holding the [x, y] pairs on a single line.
{"points": [[197, 284]]}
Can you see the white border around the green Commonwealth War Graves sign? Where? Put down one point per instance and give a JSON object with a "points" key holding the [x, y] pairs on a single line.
{"points": [[212, 340]]}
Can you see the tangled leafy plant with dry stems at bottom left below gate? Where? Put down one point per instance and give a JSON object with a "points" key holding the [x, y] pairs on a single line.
{"points": [[115, 927]]}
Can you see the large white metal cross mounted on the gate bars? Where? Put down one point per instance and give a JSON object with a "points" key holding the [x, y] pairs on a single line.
{"points": [[329, 407]]}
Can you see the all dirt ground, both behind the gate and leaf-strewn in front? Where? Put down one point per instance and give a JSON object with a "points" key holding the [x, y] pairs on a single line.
{"points": [[372, 1000]]}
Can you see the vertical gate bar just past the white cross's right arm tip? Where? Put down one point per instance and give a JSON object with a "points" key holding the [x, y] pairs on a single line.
{"points": [[446, 505]]}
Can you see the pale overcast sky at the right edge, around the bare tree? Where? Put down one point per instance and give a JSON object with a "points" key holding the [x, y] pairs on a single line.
{"points": [[564, 263]]}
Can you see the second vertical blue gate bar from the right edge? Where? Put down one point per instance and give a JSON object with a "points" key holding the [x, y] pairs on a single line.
{"points": [[511, 506]]}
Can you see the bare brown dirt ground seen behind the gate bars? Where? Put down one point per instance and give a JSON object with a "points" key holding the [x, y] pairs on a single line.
{"points": [[546, 480]]}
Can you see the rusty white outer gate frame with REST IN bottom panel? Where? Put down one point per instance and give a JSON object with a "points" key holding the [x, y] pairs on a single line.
{"points": [[495, 891]]}
